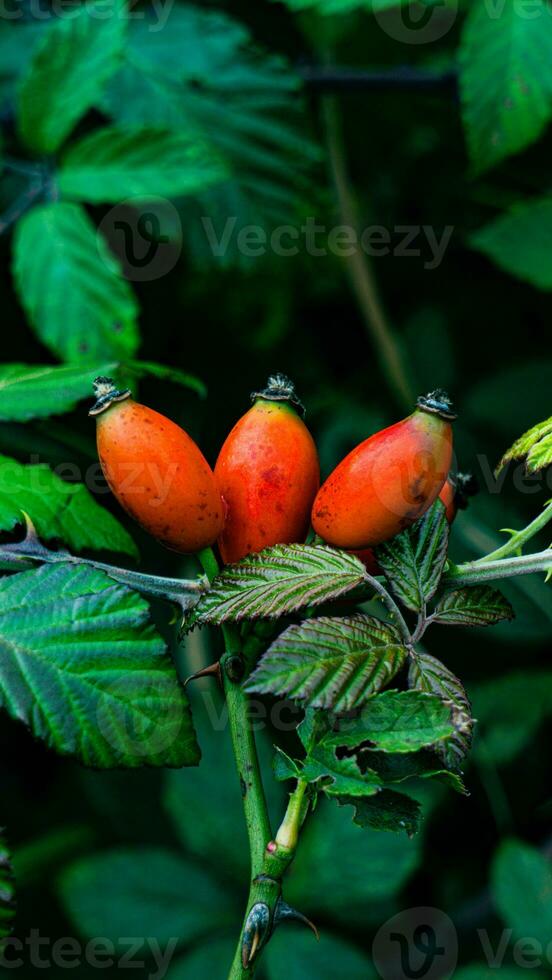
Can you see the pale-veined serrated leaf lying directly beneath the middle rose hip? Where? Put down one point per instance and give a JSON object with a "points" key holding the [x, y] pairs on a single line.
{"points": [[278, 581]]}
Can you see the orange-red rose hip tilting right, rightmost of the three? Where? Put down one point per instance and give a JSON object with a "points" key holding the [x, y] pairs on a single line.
{"points": [[389, 480]]}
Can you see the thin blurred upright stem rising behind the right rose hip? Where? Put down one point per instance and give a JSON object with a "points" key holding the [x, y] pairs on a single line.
{"points": [[359, 267]]}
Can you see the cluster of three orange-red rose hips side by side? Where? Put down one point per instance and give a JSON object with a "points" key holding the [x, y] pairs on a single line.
{"points": [[265, 487]]}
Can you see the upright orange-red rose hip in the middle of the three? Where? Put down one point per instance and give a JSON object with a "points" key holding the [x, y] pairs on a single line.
{"points": [[268, 474]]}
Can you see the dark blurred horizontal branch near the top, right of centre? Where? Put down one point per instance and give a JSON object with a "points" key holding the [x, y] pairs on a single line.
{"points": [[401, 78]]}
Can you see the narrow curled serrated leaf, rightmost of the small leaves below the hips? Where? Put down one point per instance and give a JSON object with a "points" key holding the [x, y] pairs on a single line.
{"points": [[429, 674]]}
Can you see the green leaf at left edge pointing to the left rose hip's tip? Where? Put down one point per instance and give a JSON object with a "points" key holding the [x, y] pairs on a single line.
{"points": [[33, 391]]}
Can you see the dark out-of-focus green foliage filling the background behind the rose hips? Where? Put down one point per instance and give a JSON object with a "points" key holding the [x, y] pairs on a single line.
{"points": [[228, 117]]}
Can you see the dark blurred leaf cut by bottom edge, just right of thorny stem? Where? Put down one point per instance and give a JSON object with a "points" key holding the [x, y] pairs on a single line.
{"points": [[304, 957]]}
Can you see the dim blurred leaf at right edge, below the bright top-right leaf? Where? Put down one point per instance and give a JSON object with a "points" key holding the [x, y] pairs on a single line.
{"points": [[519, 242]]}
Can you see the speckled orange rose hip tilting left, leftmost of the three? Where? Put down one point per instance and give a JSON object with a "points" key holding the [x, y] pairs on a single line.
{"points": [[156, 471]]}
